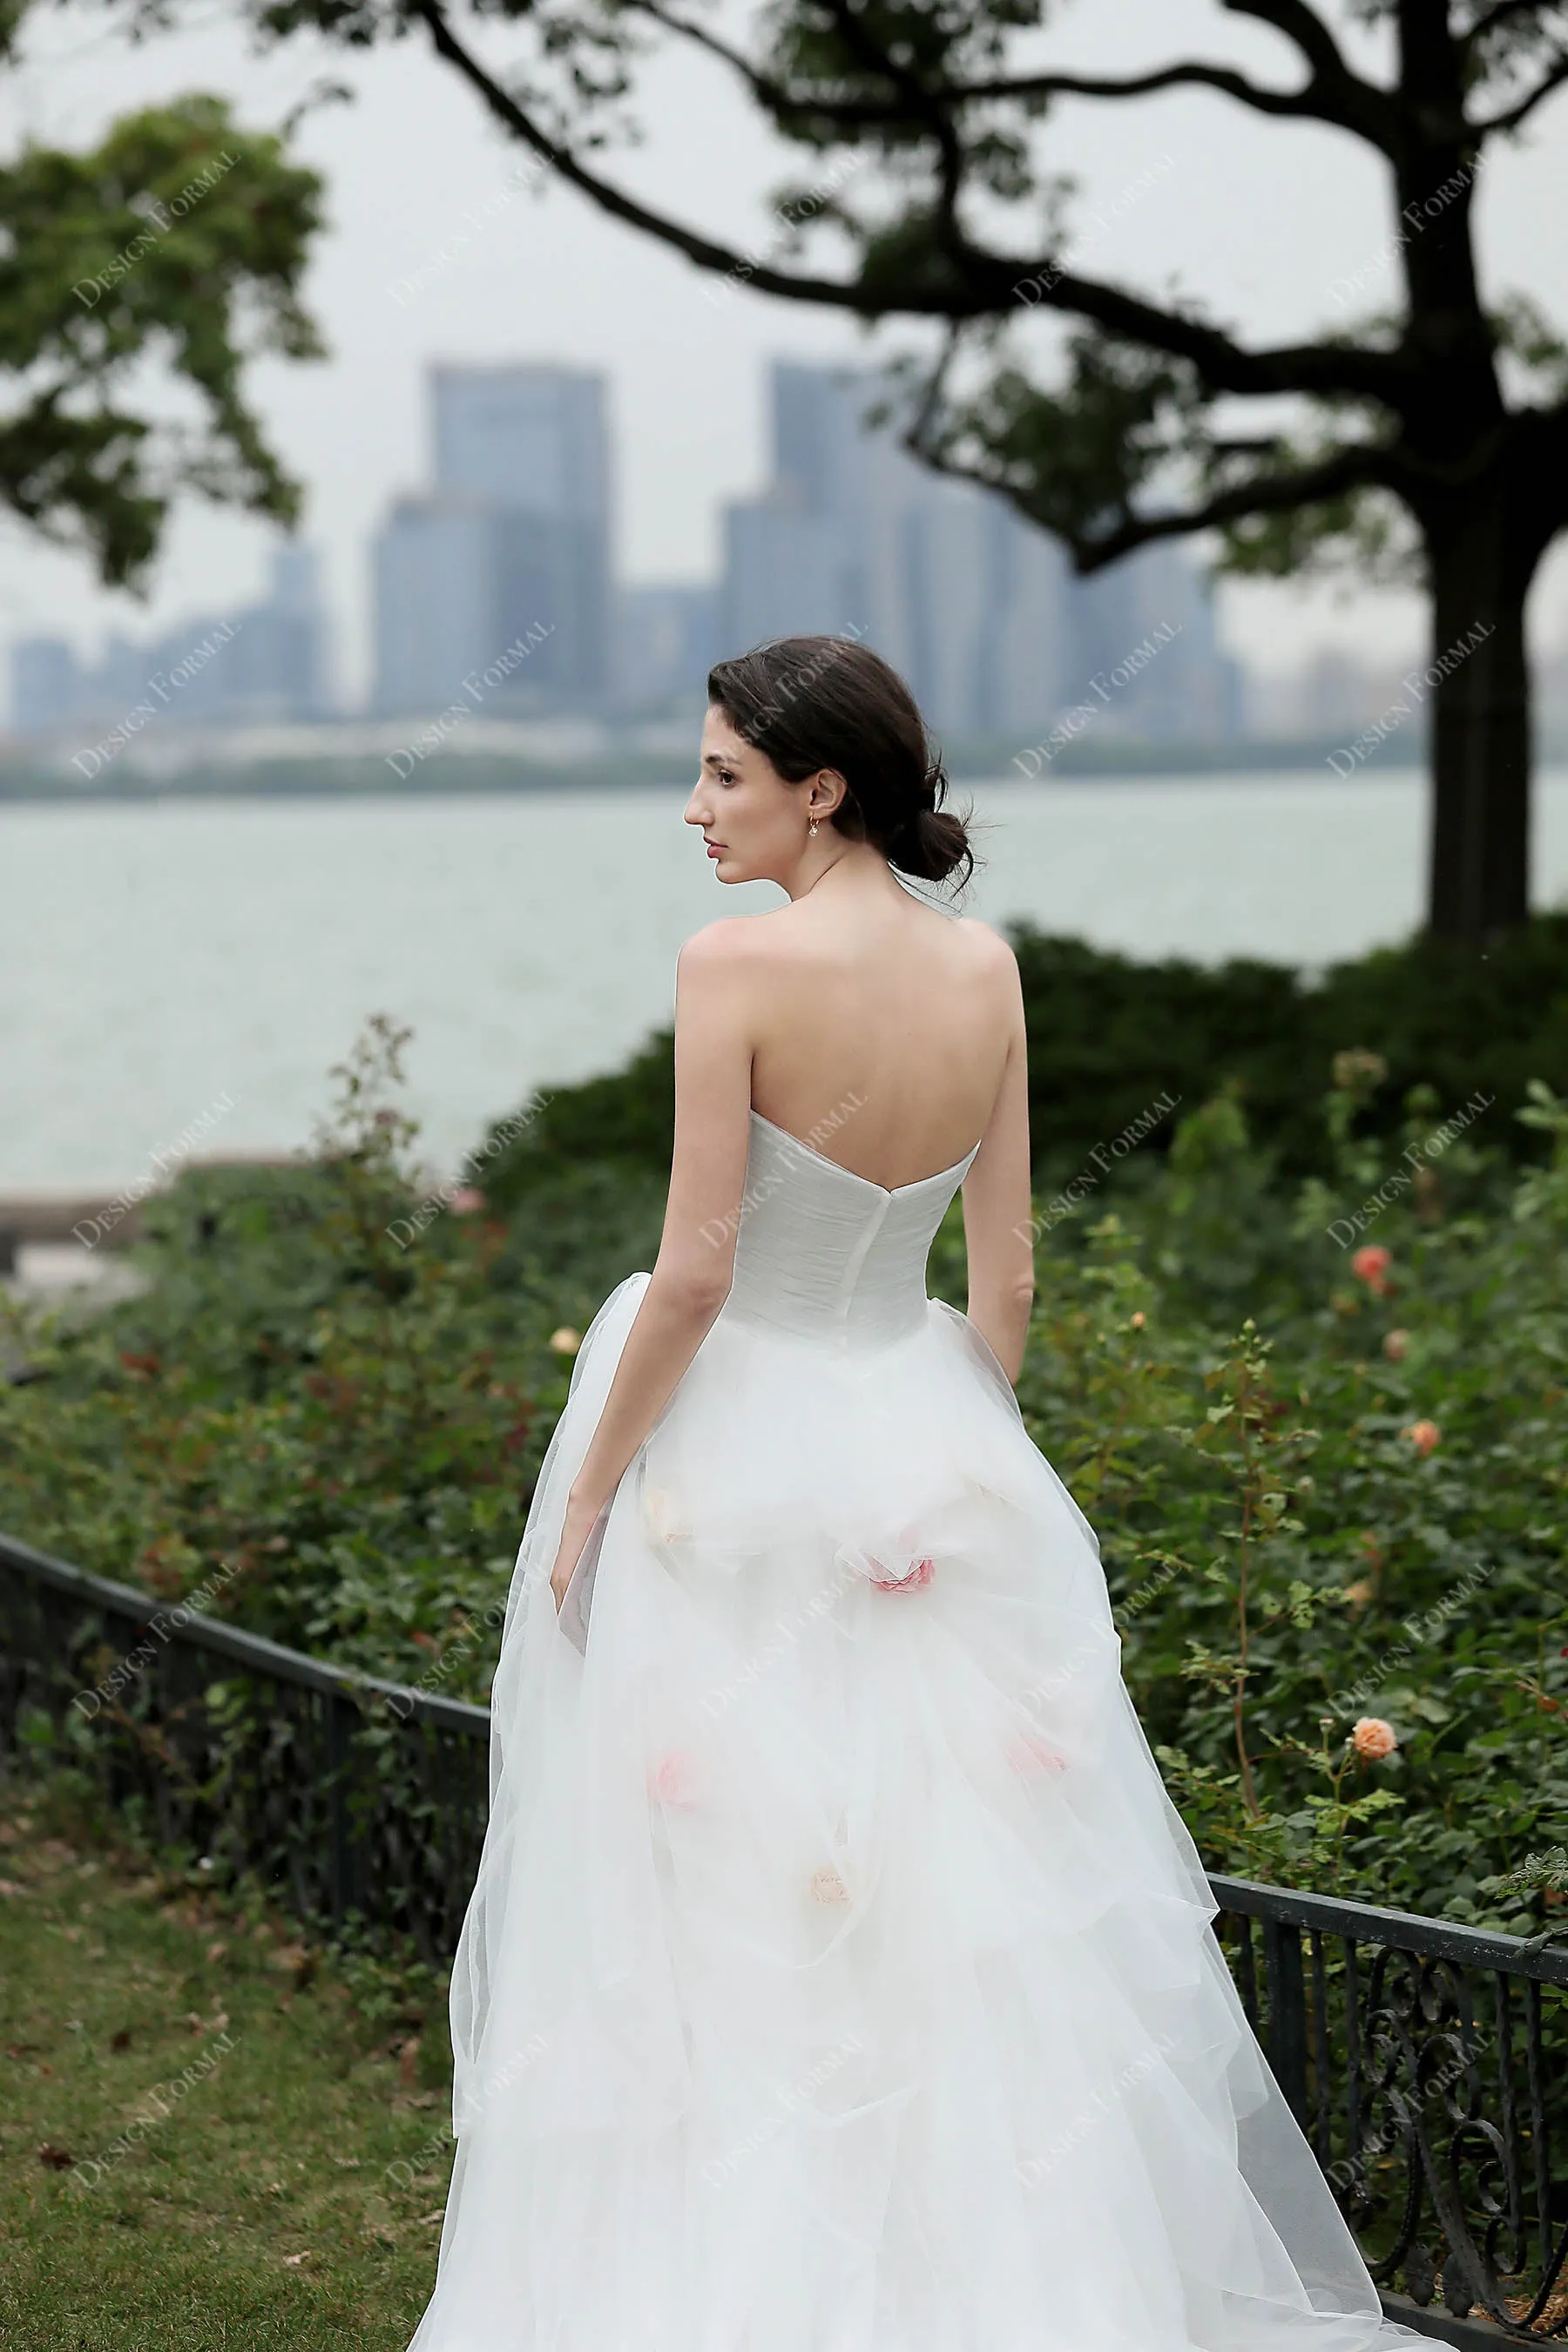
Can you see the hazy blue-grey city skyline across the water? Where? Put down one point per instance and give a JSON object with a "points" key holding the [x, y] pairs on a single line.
{"points": [[507, 544]]}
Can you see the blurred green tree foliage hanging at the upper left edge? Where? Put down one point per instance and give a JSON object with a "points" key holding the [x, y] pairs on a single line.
{"points": [[166, 241]]}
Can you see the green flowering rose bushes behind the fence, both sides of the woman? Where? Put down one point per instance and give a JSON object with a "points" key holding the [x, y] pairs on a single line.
{"points": [[1320, 1422]]}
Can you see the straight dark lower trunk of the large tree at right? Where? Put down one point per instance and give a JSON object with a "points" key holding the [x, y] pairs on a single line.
{"points": [[1477, 688]]}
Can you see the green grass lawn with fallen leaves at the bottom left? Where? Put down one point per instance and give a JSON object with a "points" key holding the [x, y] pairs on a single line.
{"points": [[257, 2207]]}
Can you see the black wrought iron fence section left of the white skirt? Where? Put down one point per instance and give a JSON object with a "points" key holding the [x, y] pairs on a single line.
{"points": [[344, 1793]]}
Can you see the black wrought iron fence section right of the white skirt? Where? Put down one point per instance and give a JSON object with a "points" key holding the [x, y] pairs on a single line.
{"points": [[1428, 2064]]}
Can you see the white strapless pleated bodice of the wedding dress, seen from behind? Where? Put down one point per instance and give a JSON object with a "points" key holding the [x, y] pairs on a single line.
{"points": [[833, 1255]]}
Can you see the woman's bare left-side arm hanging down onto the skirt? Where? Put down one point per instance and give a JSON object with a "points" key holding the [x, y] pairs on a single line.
{"points": [[697, 1255]]}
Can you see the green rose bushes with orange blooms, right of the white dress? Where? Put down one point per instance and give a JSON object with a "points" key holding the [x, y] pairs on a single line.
{"points": [[1383, 1582]]}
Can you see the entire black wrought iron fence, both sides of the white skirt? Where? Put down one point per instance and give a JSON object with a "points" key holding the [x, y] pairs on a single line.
{"points": [[1428, 2064]]}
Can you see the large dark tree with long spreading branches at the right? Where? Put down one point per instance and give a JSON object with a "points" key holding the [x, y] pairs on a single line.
{"points": [[1426, 443]]}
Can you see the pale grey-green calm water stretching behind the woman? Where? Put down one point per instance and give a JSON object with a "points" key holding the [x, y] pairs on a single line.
{"points": [[161, 958]]}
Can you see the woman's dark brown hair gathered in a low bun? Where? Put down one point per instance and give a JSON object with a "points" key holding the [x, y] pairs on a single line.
{"points": [[829, 702]]}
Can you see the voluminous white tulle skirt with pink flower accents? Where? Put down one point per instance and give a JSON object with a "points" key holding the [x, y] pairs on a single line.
{"points": [[838, 1975]]}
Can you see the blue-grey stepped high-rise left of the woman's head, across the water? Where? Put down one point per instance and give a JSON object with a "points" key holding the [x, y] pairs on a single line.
{"points": [[511, 547]]}
